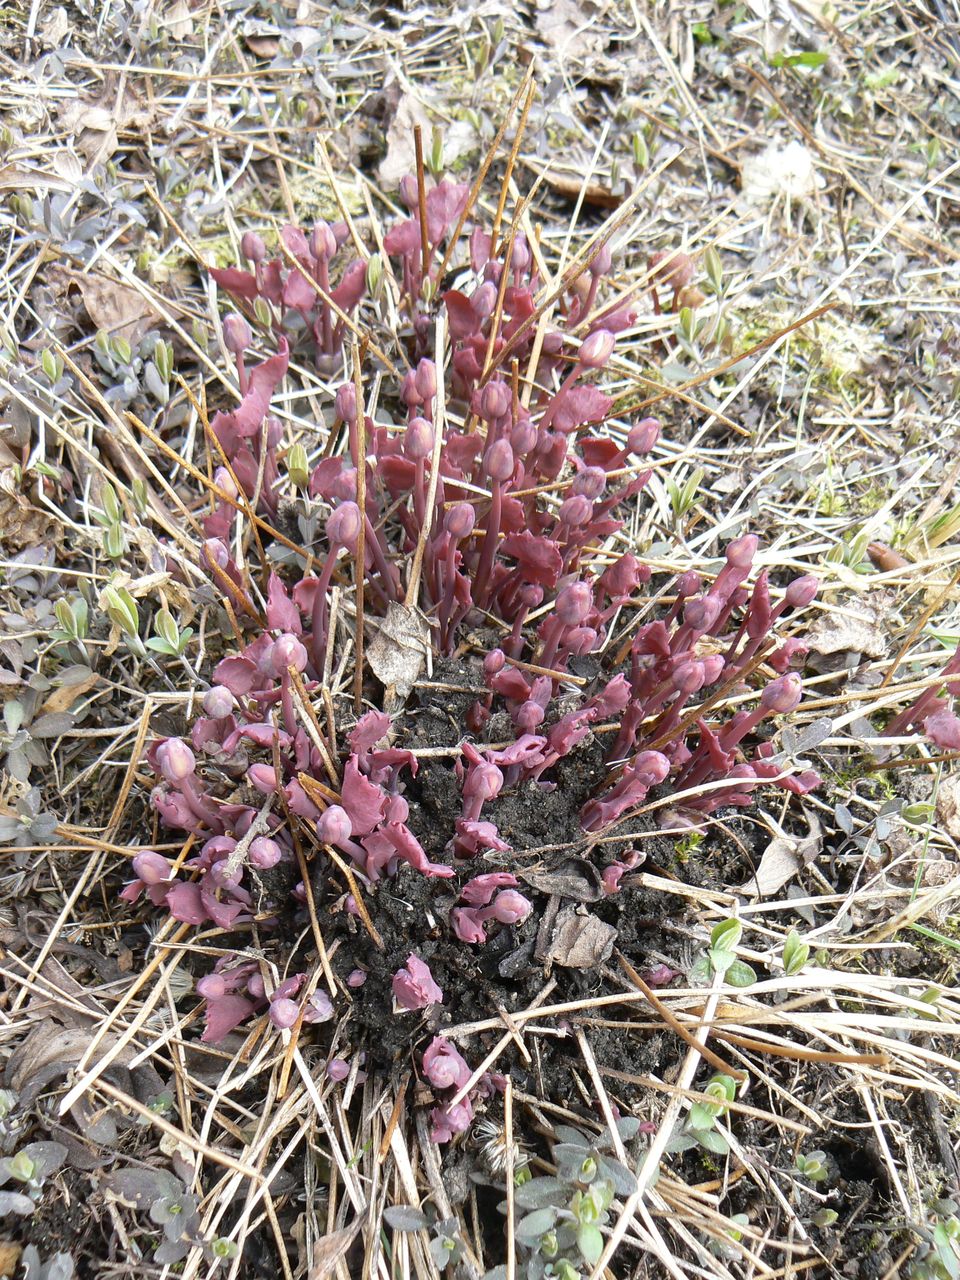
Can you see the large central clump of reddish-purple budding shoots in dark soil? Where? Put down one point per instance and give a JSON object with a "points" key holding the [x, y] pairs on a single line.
{"points": [[511, 508]]}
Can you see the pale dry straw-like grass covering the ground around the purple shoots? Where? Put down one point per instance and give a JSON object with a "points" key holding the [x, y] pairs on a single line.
{"points": [[835, 437]]}
